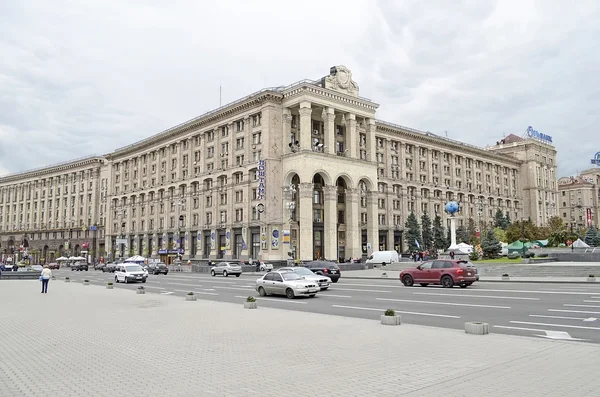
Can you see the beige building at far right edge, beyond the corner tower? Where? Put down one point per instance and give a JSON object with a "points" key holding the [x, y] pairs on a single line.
{"points": [[579, 200]]}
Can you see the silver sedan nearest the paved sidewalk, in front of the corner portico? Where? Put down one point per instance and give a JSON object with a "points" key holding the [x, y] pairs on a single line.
{"points": [[286, 283]]}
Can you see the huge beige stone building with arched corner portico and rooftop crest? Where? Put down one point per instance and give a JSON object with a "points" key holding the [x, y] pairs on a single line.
{"points": [[304, 170]]}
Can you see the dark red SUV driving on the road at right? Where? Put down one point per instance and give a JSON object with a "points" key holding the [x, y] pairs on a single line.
{"points": [[444, 272]]}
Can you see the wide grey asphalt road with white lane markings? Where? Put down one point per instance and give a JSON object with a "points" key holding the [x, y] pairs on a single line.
{"points": [[555, 311]]}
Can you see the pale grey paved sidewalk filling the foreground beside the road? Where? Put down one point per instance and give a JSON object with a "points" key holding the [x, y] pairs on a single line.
{"points": [[87, 340]]}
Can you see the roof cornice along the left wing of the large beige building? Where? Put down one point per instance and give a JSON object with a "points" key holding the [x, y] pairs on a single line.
{"points": [[209, 118]]}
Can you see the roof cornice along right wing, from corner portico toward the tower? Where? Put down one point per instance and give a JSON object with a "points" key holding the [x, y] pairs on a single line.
{"points": [[433, 139]]}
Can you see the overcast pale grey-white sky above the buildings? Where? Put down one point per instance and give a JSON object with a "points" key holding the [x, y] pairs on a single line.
{"points": [[85, 77]]}
